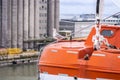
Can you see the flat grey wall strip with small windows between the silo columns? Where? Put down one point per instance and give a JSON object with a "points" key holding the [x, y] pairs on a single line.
{"points": [[43, 18]]}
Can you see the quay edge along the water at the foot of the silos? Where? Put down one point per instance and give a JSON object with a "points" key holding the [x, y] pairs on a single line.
{"points": [[22, 58]]}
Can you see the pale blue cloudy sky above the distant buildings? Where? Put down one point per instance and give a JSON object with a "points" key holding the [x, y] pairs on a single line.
{"points": [[87, 6]]}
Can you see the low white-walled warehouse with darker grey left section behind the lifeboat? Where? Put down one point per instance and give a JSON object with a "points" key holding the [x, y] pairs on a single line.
{"points": [[79, 28]]}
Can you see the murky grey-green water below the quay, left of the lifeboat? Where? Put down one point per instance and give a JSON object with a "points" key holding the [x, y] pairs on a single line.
{"points": [[19, 72]]}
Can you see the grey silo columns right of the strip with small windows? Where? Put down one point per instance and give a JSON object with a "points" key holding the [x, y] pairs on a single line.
{"points": [[53, 16]]}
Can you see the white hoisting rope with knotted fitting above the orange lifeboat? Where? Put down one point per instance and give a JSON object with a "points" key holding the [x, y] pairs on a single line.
{"points": [[98, 39]]}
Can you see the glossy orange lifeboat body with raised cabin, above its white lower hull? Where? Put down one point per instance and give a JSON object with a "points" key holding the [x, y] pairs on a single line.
{"points": [[79, 59]]}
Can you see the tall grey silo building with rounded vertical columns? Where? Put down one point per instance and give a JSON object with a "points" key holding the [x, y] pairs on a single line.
{"points": [[24, 21]]}
